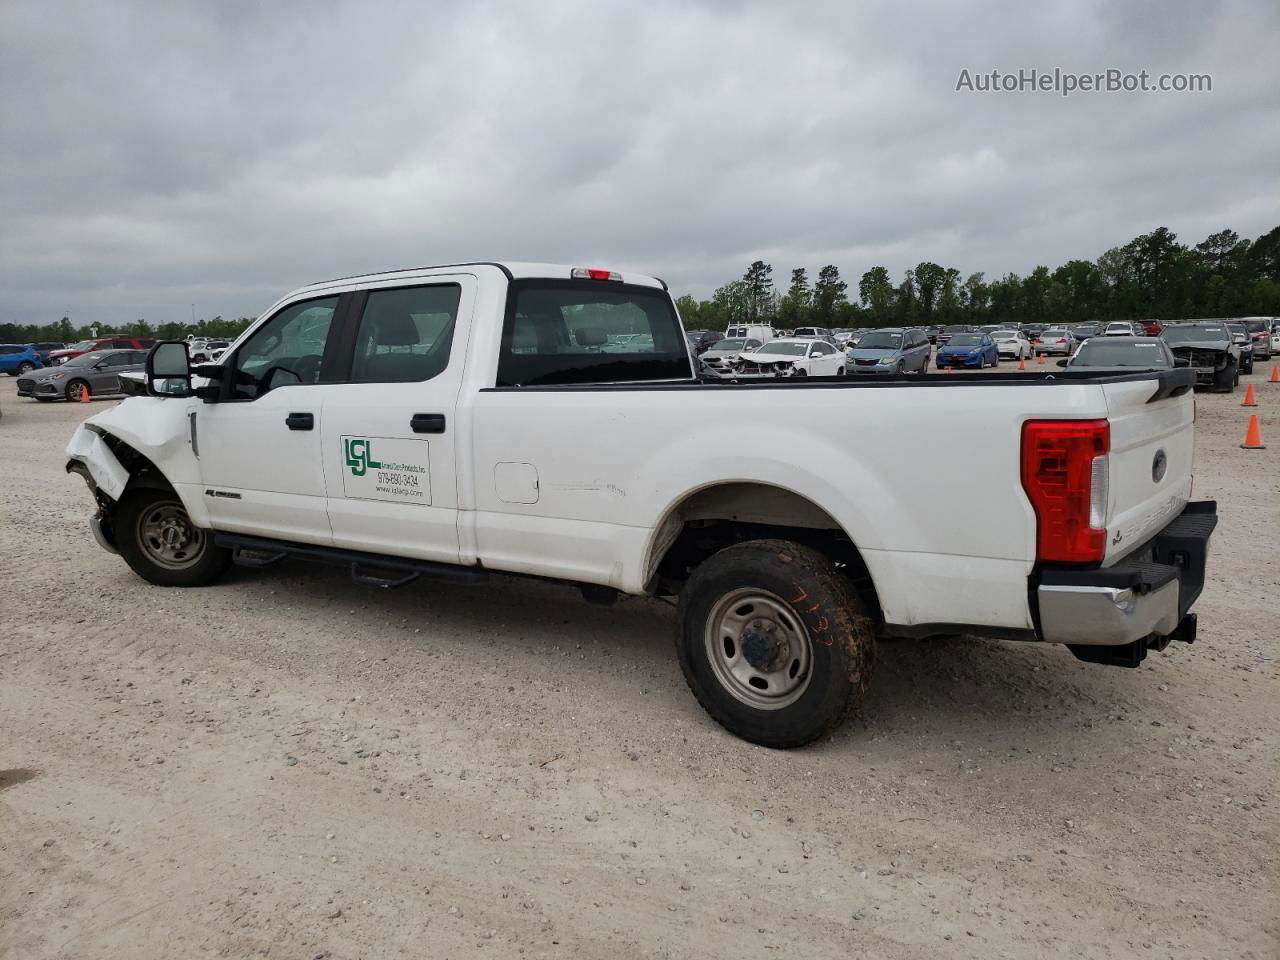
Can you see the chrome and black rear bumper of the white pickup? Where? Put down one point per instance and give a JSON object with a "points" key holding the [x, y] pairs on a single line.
{"points": [[1142, 601]]}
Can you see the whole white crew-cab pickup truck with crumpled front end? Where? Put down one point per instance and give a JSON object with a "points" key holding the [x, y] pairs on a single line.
{"points": [[542, 420]]}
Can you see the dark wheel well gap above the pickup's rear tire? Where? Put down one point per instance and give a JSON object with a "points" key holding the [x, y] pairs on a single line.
{"points": [[719, 516]]}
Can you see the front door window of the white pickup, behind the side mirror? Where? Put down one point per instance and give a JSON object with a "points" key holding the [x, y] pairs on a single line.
{"points": [[285, 351]]}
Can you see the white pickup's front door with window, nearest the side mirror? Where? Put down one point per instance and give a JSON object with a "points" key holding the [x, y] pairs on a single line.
{"points": [[259, 447]]}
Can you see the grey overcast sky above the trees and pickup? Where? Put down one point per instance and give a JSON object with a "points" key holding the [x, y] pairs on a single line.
{"points": [[156, 156]]}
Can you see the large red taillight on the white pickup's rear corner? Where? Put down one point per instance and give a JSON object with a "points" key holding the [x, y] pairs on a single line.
{"points": [[1066, 478]]}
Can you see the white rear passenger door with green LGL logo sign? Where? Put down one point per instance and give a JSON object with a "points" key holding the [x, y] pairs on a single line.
{"points": [[390, 432]]}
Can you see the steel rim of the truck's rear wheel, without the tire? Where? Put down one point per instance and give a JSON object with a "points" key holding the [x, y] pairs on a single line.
{"points": [[760, 650]]}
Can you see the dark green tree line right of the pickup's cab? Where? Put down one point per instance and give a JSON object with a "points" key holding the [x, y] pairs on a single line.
{"points": [[1153, 276]]}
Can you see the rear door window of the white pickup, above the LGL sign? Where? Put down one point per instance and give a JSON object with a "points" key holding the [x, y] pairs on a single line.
{"points": [[406, 335]]}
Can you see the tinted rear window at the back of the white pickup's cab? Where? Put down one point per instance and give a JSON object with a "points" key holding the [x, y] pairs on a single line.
{"points": [[578, 332]]}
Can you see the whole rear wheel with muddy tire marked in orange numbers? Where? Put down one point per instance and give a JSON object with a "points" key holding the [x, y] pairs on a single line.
{"points": [[775, 643]]}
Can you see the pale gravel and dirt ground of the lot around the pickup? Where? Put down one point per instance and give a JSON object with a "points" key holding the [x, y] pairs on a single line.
{"points": [[294, 766]]}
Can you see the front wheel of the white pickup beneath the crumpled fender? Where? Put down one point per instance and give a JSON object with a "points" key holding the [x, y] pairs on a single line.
{"points": [[162, 546]]}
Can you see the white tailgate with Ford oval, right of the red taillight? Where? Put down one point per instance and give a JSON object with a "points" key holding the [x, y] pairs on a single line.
{"points": [[1150, 464]]}
